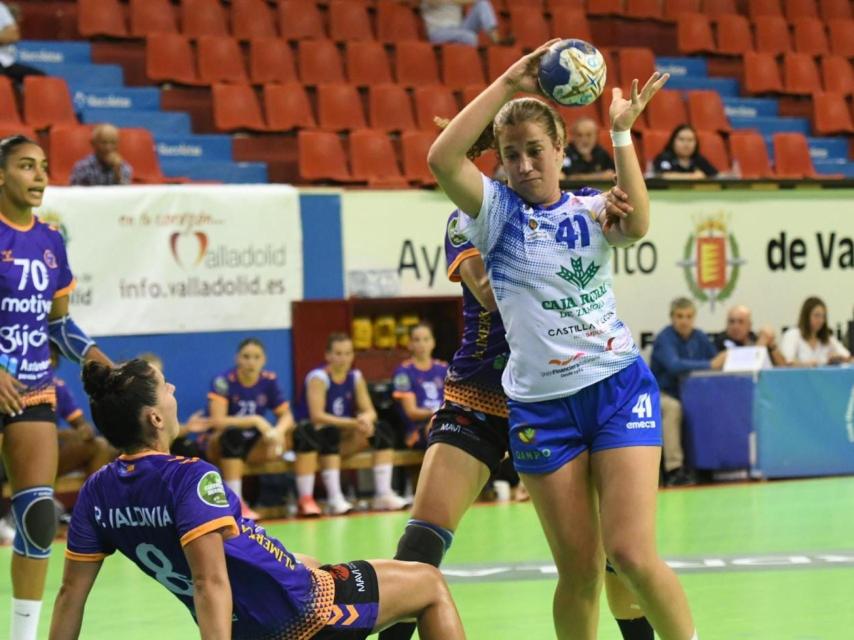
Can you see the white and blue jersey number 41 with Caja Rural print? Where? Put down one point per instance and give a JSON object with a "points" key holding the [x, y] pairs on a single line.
{"points": [[550, 270]]}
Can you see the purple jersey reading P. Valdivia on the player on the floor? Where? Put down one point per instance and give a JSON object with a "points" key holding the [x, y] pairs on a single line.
{"points": [[151, 505]]}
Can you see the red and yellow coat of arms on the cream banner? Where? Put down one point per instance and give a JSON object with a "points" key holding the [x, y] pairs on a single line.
{"points": [[711, 261]]}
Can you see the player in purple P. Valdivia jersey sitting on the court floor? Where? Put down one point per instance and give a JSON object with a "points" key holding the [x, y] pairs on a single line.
{"points": [[176, 520]]}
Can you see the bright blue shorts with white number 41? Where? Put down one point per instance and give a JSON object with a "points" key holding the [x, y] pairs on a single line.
{"points": [[622, 410]]}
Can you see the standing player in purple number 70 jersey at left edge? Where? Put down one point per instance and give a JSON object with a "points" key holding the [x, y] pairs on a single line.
{"points": [[35, 281]]}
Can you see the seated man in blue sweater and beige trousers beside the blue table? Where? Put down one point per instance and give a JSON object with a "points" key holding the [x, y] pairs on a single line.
{"points": [[678, 350]]}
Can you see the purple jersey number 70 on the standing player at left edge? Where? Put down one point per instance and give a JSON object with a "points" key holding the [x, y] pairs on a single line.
{"points": [[33, 271]]}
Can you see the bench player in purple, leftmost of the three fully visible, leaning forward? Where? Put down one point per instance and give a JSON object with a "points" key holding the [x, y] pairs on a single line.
{"points": [[238, 401]]}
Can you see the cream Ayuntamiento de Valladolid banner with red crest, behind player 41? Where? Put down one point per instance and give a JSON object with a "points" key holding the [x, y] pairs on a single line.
{"points": [[768, 250]]}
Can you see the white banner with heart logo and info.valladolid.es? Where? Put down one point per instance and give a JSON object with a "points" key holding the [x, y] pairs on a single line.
{"points": [[172, 259]]}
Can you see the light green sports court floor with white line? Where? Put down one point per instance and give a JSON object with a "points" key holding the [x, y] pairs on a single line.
{"points": [[768, 561]]}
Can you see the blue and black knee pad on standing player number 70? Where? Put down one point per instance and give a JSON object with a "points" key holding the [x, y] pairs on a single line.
{"points": [[35, 522]]}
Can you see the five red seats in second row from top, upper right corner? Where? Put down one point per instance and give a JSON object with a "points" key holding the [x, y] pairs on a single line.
{"points": [[769, 34]]}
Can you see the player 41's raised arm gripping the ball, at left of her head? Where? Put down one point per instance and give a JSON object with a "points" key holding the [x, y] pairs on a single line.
{"points": [[457, 175]]}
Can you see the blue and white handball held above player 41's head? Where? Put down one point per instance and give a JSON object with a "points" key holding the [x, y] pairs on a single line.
{"points": [[572, 73]]}
